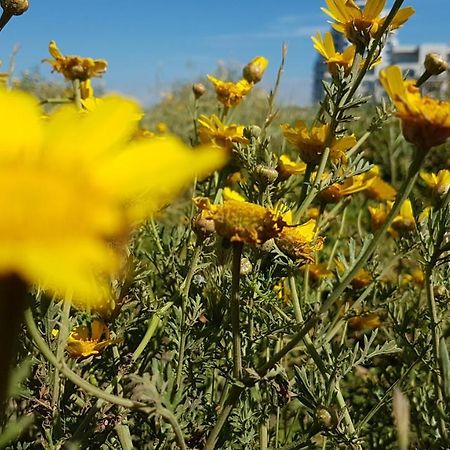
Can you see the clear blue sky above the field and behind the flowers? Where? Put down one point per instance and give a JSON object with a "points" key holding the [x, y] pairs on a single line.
{"points": [[150, 45]]}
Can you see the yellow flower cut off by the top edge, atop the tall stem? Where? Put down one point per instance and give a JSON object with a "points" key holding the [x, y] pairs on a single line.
{"points": [[359, 26]]}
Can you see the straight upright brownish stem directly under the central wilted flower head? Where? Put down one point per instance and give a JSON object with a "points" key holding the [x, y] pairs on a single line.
{"points": [[235, 310]]}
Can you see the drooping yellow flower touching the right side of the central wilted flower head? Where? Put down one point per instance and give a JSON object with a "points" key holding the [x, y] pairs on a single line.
{"points": [[299, 241]]}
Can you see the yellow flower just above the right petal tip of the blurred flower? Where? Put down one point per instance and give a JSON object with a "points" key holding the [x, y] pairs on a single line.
{"points": [[213, 131]]}
